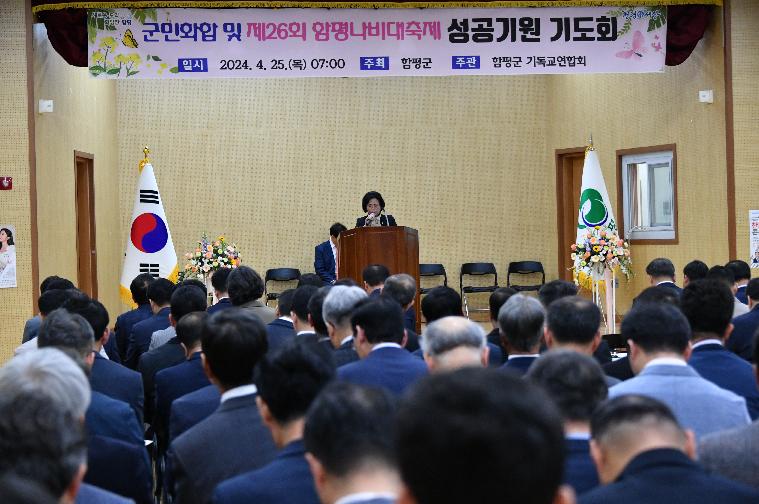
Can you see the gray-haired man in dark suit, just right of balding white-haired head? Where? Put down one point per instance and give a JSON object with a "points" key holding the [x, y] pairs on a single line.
{"points": [[521, 322]]}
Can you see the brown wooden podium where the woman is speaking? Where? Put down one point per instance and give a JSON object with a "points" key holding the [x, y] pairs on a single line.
{"points": [[396, 247]]}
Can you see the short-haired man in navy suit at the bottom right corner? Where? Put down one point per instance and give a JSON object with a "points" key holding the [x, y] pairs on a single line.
{"points": [[644, 455]]}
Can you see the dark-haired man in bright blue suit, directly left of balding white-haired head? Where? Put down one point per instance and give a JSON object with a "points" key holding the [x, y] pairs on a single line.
{"points": [[377, 339]]}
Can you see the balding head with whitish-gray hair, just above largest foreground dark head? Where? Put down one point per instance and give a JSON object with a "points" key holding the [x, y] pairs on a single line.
{"points": [[454, 342]]}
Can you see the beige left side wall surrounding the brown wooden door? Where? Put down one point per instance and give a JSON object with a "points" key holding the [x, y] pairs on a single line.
{"points": [[84, 119]]}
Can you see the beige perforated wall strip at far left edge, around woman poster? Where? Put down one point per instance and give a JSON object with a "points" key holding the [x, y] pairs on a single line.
{"points": [[14, 144]]}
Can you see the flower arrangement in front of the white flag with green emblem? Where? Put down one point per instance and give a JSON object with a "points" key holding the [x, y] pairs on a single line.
{"points": [[601, 249]]}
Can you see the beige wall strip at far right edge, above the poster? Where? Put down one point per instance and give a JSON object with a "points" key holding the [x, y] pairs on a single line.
{"points": [[745, 48]]}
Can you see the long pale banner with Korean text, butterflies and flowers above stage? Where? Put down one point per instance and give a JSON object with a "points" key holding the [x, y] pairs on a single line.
{"points": [[205, 43]]}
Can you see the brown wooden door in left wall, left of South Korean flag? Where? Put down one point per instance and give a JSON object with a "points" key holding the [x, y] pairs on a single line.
{"points": [[85, 224]]}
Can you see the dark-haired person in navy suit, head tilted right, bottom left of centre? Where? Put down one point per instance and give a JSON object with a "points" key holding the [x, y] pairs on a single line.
{"points": [[288, 382]]}
